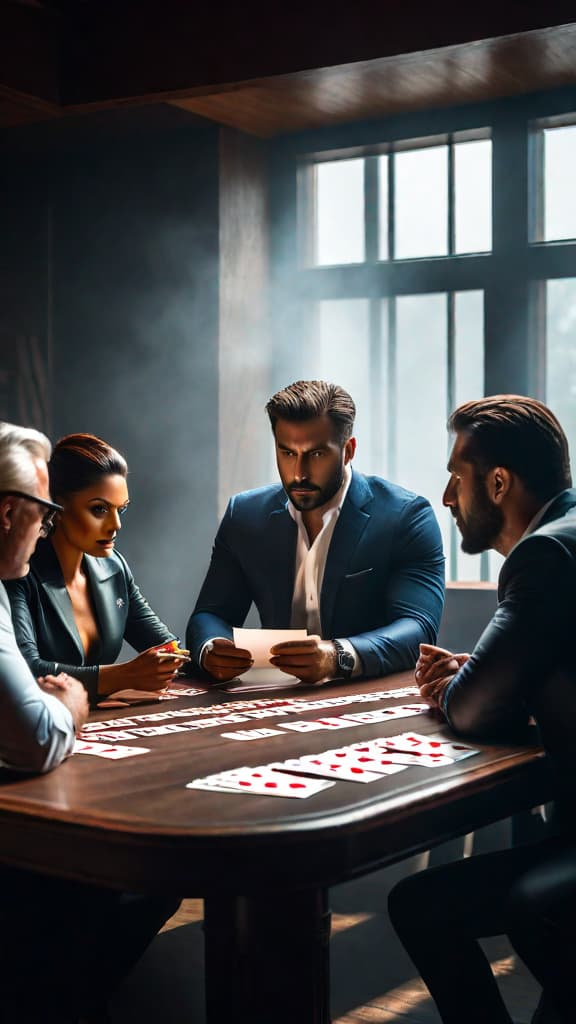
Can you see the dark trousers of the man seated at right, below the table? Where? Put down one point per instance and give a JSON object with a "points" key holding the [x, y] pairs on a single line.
{"points": [[528, 893]]}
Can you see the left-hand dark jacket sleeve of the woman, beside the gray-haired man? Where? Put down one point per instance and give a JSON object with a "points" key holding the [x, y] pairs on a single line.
{"points": [[25, 602]]}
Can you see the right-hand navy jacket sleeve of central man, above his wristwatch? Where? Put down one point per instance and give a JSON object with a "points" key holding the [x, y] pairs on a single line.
{"points": [[413, 596]]}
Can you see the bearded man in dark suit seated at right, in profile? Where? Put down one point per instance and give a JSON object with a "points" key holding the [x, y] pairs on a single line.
{"points": [[510, 490]]}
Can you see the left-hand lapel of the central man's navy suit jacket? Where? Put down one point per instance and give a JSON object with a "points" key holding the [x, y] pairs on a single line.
{"points": [[279, 563]]}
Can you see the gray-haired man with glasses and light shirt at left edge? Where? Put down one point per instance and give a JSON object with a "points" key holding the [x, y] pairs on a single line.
{"points": [[56, 932]]}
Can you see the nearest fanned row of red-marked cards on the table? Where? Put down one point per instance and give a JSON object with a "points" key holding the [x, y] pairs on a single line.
{"points": [[365, 762]]}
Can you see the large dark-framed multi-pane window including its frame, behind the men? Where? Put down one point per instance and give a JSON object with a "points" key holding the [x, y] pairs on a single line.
{"points": [[435, 269]]}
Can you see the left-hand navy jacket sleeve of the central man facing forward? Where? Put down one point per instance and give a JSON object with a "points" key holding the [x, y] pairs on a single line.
{"points": [[226, 596]]}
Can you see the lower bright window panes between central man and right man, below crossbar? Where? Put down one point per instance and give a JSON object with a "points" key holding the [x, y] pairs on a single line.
{"points": [[425, 346]]}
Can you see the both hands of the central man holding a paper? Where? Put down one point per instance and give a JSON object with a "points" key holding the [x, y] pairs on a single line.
{"points": [[311, 660]]}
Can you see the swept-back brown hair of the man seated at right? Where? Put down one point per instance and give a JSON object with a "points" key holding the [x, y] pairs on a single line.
{"points": [[521, 435]]}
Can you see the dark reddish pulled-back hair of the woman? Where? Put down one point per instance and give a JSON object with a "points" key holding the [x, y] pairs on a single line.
{"points": [[79, 461]]}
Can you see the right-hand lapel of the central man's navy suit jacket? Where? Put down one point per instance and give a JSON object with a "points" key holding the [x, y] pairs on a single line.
{"points": [[348, 534]]}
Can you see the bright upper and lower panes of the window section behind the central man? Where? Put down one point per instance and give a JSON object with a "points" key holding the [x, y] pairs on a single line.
{"points": [[418, 201]]}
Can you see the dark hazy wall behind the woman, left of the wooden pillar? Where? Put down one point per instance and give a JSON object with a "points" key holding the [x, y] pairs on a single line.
{"points": [[130, 318]]}
